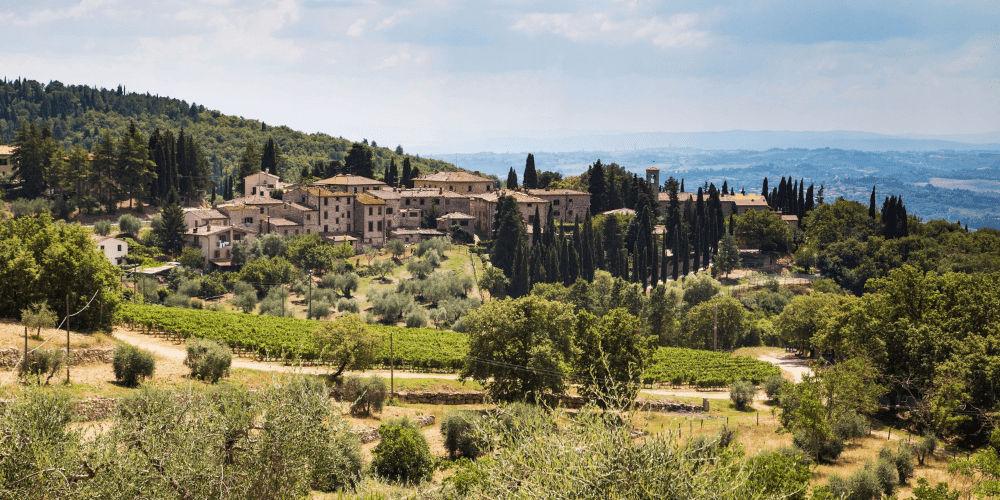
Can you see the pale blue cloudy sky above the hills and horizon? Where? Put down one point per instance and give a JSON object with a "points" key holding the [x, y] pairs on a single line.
{"points": [[434, 74]]}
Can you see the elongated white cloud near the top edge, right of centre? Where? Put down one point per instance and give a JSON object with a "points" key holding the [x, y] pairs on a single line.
{"points": [[679, 30]]}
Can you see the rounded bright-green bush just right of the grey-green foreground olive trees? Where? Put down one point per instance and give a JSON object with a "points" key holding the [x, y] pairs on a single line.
{"points": [[402, 454]]}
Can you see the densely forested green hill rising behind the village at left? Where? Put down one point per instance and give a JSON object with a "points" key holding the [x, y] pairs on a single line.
{"points": [[76, 114]]}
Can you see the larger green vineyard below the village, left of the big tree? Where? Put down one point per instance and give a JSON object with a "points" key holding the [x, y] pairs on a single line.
{"points": [[291, 338]]}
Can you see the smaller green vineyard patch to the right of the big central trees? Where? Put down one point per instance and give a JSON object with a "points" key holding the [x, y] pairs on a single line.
{"points": [[678, 366]]}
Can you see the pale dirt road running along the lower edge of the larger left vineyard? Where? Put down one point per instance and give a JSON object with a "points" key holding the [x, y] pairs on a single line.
{"points": [[176, 351]]}
